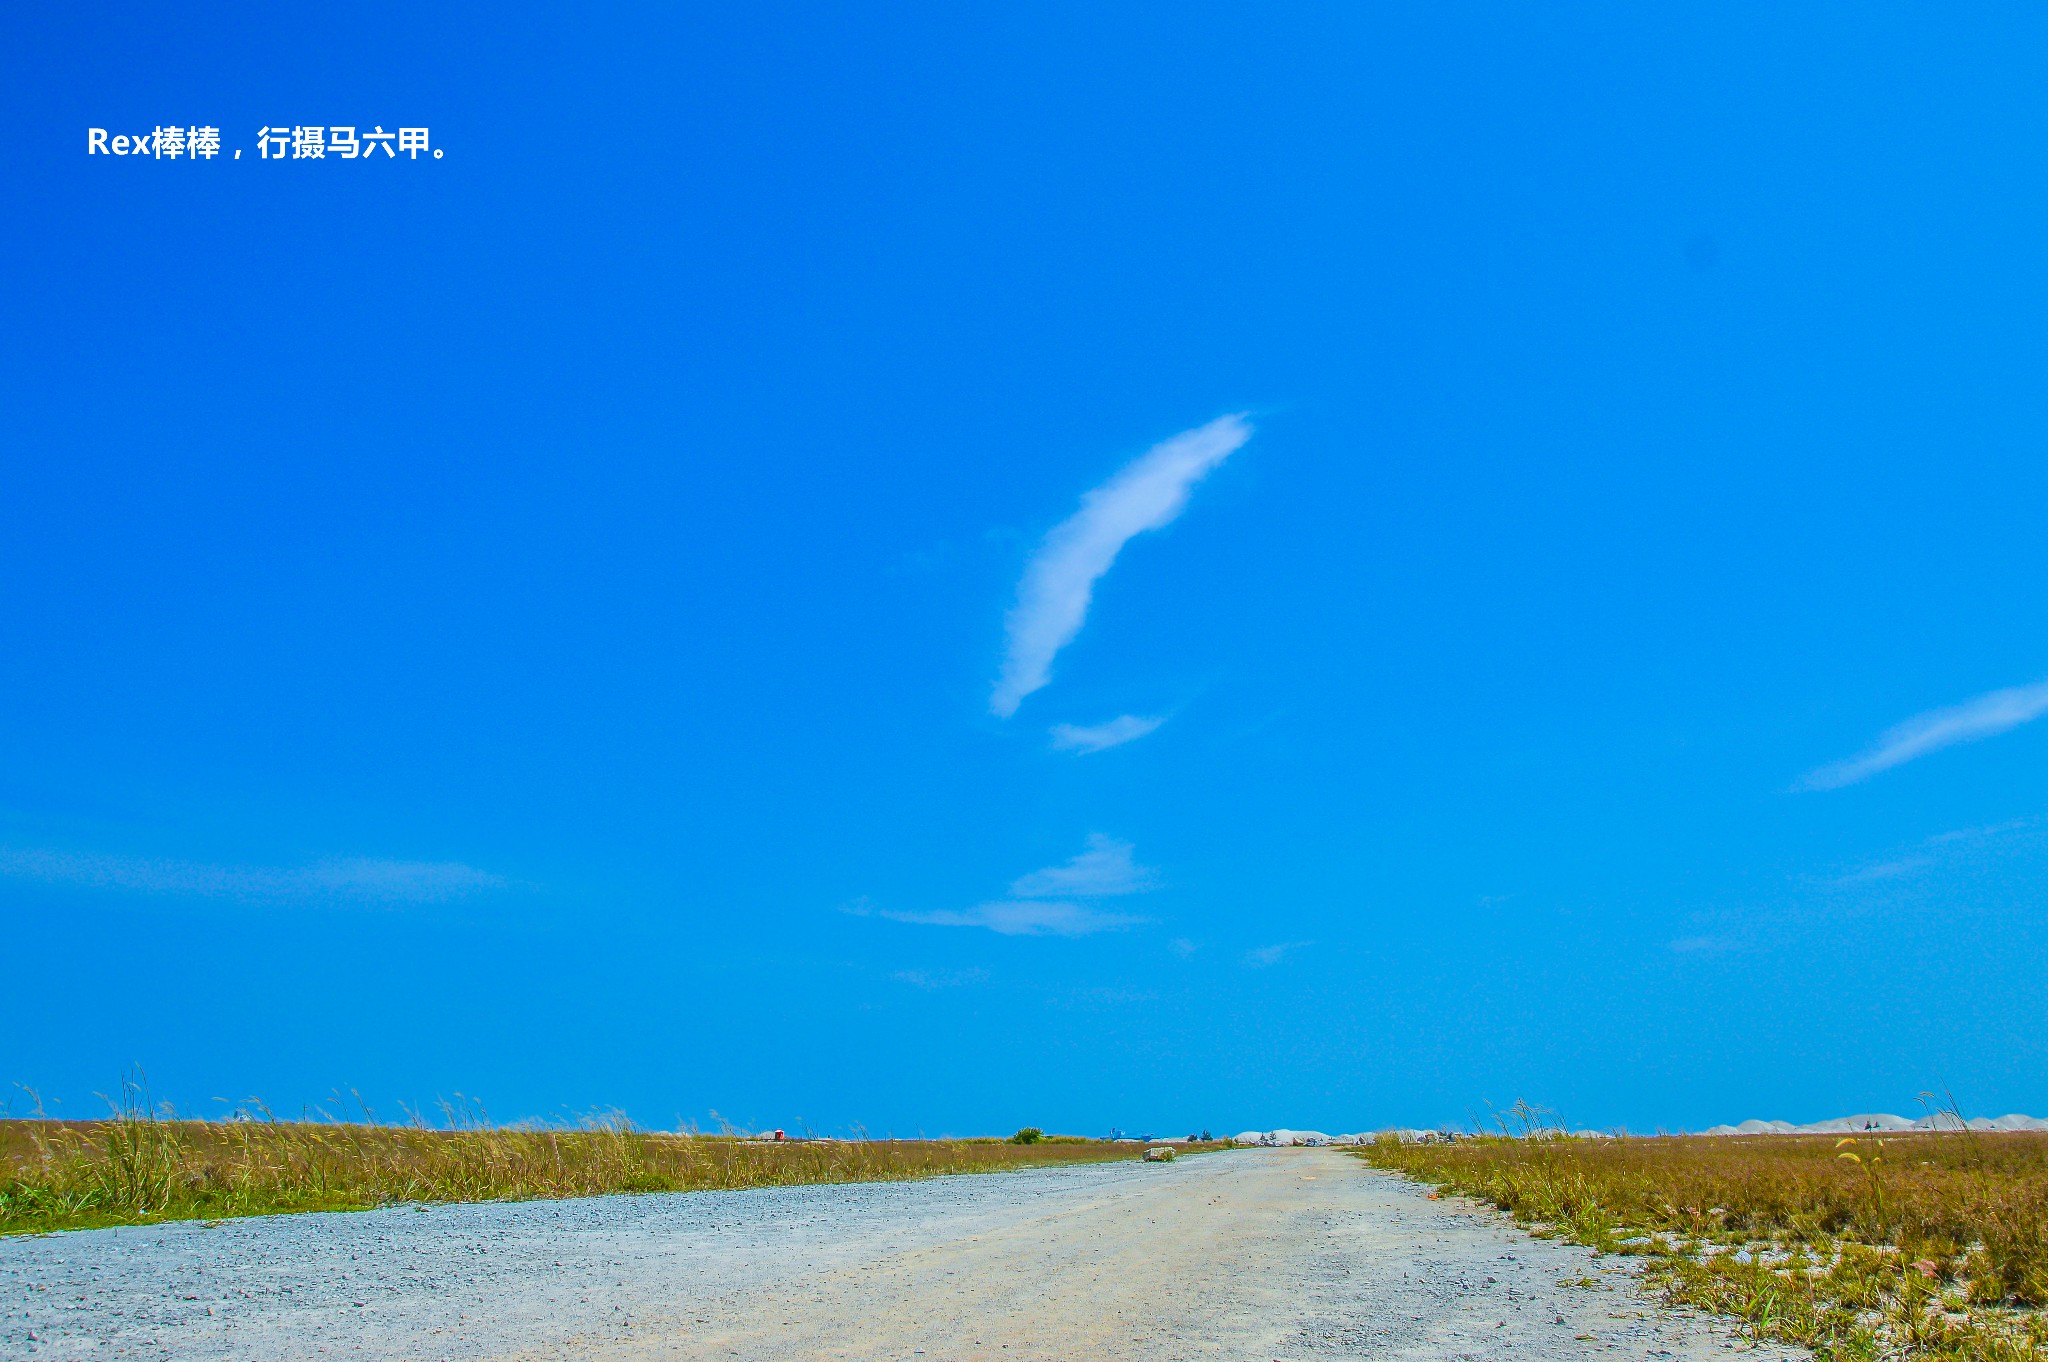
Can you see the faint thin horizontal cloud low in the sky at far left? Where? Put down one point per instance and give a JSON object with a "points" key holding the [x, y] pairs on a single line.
{"points": [[353, 880]]}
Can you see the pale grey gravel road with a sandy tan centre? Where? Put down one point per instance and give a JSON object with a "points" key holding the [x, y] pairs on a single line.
{"points": [[1238, 1257]]}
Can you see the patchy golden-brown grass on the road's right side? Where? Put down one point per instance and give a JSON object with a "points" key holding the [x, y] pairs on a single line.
{"points": [[1900, 1246]]}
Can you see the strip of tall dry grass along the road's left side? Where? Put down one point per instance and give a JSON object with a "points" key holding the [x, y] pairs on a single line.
{"points": [[144, 1164]]}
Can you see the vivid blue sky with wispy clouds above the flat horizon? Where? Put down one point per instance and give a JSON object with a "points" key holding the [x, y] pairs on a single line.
{"points": [[929, 570]]}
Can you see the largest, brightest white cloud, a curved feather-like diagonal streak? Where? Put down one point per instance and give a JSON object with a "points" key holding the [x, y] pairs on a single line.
{"points": [[1062, 577]]}
